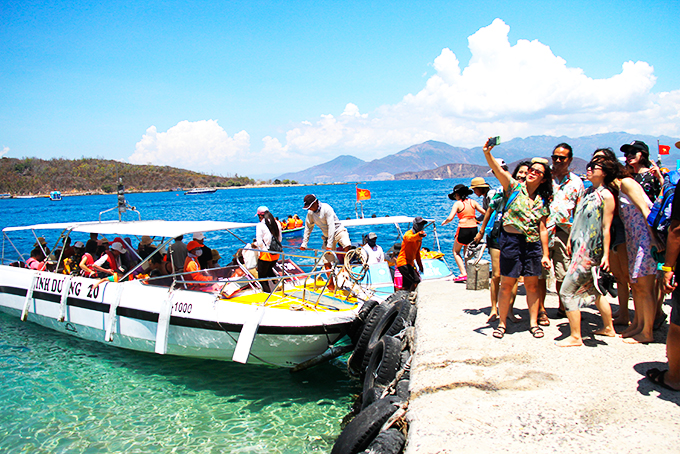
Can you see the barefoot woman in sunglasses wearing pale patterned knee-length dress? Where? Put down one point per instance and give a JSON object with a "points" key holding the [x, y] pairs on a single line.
{"points": [[588, 245]]}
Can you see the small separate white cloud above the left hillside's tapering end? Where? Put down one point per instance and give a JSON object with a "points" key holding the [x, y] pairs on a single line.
{"points": [[200, 145]]}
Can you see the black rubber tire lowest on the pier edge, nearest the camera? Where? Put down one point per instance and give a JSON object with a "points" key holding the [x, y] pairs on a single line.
{"points": [[365, 426]]}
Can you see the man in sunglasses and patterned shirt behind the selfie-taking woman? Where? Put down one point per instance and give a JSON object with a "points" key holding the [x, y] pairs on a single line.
{"points": [[567, 192]]}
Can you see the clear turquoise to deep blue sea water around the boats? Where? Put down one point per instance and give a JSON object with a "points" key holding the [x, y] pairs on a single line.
{"points": [[62, 394]]}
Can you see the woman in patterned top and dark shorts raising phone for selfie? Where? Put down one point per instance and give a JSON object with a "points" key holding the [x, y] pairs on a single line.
{"points": [[523, 237]]}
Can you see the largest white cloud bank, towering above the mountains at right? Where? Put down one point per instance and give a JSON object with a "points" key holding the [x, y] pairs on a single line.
{"points": [[512, 90]]}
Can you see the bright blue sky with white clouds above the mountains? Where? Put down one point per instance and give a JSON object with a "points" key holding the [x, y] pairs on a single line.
{"points": [[260, 88]]}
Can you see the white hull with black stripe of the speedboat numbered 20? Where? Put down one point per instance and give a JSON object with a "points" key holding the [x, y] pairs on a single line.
{"points": [[199, 325]]}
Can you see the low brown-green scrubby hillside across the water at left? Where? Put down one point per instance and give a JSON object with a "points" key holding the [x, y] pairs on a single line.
{"points": [[31, 176]]}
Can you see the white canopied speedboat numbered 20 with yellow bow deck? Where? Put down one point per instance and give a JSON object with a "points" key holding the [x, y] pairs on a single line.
{"points": [[229, 319]]}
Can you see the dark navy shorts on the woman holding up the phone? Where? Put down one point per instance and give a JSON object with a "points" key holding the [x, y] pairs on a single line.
{"points": [[519, 257]]}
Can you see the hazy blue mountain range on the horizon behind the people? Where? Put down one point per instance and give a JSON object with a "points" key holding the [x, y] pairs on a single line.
{"points": [[434, 159]]}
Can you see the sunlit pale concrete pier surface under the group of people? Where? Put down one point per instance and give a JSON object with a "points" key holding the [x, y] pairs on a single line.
{"points": [[471, 392]]}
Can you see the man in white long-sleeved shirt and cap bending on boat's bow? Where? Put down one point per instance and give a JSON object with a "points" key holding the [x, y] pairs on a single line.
{"points": [[333, 233]]}
